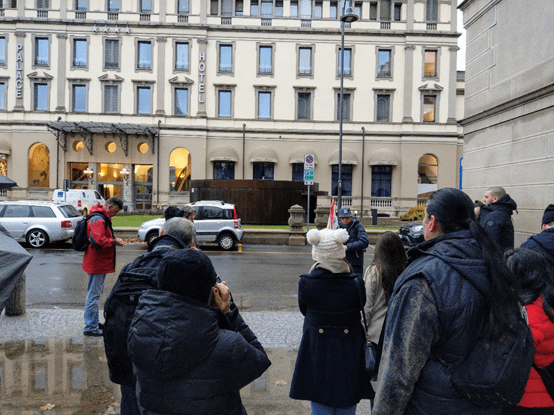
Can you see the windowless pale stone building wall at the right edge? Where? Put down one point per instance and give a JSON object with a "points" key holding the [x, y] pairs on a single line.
{"points": [[508, 124]]}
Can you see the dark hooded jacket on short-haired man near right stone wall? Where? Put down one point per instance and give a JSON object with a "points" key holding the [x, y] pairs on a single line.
{"points": [[496, 218]]}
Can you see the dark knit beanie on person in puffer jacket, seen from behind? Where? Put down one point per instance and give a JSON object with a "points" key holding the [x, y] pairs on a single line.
{"points": [[187, 272]]}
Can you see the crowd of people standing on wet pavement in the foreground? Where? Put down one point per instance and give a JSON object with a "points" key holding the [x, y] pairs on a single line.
{"points": [[185, 349]]}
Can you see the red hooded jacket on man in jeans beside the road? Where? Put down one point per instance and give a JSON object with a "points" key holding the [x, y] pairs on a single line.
{"points": [[99, 258]]}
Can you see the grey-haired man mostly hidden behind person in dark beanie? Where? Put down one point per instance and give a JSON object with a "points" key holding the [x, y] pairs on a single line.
{"points": [[177, 233]]}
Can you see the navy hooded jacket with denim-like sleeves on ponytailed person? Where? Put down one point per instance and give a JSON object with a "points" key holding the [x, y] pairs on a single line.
{"points": [[434, 317]]}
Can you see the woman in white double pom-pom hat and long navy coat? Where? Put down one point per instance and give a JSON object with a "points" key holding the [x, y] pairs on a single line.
{"points": [[329, 366]]}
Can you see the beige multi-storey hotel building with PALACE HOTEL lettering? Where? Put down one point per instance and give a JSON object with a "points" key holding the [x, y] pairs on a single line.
{"points": [[135, 98]]}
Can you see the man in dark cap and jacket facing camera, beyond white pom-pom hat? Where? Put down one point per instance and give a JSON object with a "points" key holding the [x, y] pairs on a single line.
{"points": [[357, 241]]}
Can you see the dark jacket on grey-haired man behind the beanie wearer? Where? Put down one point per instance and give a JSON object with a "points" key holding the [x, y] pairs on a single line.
{"points": [[119, 310]]}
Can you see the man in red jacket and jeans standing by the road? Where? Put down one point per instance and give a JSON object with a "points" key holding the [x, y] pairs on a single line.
{"points": [[99, 259]]}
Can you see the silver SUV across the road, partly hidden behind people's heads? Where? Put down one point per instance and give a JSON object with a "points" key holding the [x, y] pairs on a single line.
{"points": [[215, 221]]}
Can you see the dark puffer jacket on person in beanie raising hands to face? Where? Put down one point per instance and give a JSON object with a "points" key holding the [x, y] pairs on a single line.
{"points": [[185, 363]]}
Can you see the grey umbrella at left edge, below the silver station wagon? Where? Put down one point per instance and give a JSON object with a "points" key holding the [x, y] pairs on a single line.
{"points": [[14, 260]]}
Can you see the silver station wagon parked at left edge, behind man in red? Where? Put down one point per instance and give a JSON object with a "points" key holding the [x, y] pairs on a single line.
{"points": [[38, 223]]}
